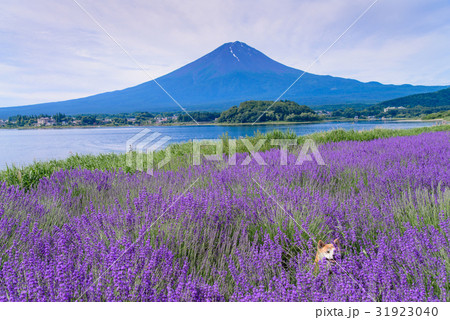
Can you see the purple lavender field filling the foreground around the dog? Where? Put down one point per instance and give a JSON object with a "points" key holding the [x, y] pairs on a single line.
{"points": [[238, 233]]}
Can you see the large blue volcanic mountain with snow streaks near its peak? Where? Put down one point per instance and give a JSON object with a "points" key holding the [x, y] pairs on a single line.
{"points": [[230, 74]]}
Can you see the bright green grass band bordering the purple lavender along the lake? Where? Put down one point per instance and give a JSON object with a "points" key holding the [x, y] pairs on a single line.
{"points": [[29, 176]]}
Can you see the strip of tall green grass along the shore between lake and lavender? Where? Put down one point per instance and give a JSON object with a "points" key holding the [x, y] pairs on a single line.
{"points": [[30, 174]]}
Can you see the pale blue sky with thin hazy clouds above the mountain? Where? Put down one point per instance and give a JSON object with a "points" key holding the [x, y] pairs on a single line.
{"points": [[51, 51]]}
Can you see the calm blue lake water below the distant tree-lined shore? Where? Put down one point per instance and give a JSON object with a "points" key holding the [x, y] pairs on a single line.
{"points": [[22, 147]]}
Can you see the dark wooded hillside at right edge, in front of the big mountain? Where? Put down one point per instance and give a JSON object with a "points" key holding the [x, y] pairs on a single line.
{"points": [[433, 99]]}
